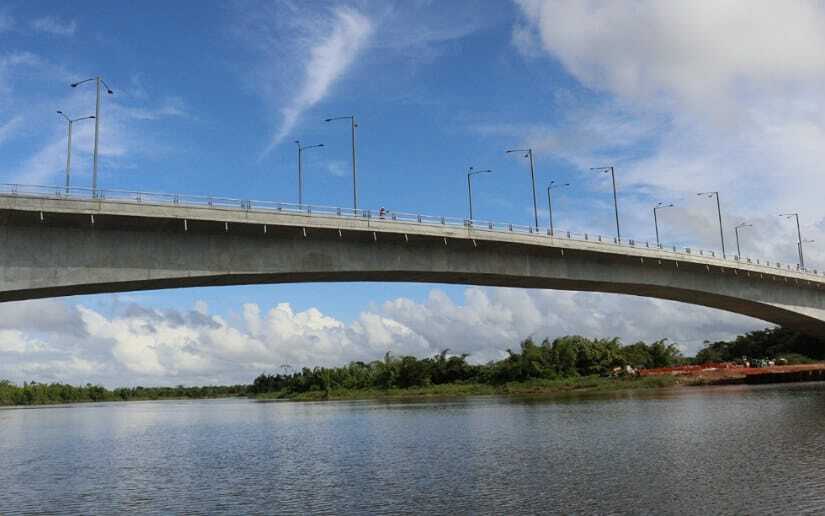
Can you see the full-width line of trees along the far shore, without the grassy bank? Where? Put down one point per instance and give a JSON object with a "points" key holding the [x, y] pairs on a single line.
{"points": [[563, 357]]}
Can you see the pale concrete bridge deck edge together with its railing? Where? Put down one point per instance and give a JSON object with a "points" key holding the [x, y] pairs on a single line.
{"points": [[147, 210]]}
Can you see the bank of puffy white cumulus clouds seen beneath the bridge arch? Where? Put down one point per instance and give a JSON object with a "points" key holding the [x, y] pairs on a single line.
{"points": [[139, 345]]}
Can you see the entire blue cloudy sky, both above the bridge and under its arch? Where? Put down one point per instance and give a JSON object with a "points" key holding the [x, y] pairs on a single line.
{"points": [[680, 97]]}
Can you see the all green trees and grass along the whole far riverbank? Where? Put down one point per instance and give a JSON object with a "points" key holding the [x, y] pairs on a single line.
{"points": [[565, 364]]}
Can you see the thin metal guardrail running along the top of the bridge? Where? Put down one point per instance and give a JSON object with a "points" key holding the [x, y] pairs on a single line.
{"points": [[227, 203]]}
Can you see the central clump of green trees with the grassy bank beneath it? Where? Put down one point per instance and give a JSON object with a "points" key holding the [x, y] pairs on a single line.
{"points": [[563, 364]]}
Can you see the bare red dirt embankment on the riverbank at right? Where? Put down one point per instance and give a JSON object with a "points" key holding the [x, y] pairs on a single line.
{"points": [[727, 372]]}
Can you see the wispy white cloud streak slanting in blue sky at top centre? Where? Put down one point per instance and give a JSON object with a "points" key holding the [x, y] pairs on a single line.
{"points": [[329, 58]]}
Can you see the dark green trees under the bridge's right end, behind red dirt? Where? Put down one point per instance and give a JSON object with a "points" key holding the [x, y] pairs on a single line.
{"points": [[772, 343]]}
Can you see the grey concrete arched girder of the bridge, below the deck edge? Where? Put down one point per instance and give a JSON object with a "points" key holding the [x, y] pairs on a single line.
{"points": [[67, 254]]}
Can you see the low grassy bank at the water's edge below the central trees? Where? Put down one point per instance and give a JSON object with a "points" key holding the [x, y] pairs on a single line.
{"points": [[526, 388]]}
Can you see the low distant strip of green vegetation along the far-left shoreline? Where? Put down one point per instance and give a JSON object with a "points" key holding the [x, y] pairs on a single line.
{"points": [[43, 394]]}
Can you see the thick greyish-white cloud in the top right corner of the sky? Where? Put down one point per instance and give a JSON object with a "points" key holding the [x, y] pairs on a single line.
{"points": [[694, 52]]}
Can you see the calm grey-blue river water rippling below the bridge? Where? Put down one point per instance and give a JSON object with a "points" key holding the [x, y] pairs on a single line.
{"points": [[714, 450]]}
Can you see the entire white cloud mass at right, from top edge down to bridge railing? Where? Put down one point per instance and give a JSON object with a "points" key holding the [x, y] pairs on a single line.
{"points": [[712, 96]]}
